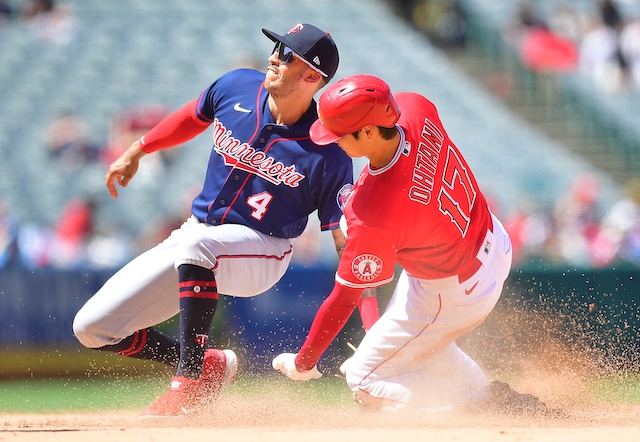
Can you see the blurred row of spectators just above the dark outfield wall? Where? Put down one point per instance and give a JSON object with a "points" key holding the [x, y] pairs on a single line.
{"points": [[575, 231]]}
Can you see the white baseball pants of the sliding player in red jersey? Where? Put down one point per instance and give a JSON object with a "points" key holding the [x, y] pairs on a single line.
{"points": [[409, 358]]}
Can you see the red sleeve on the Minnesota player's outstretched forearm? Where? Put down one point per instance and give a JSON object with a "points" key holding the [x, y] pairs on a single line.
{"points": [[177, 128]]}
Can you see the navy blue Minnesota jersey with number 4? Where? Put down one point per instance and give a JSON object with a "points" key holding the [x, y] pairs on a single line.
{"points": [[262, 175]]}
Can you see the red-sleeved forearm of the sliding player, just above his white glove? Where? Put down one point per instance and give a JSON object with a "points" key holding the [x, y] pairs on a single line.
{"points": [[329, 321]]}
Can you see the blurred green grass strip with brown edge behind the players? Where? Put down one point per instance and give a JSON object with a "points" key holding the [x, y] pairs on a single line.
{"points": [[43, 382]]}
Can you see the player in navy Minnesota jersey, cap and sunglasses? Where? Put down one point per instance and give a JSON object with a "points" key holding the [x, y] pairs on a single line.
{"points": [[264, 178]]}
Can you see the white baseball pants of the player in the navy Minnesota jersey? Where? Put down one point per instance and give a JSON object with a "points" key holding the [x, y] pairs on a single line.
{"points": [[145, 291]]}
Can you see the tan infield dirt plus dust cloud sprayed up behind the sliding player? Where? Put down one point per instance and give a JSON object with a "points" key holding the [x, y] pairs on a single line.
{"points": [[511, 347]]}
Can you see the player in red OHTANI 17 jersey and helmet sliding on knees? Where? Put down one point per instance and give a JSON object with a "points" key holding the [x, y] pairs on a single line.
{"points": [[417, 204]]}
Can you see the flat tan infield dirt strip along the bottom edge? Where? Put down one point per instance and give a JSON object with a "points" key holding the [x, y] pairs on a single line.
{"points": [[247, 419]]}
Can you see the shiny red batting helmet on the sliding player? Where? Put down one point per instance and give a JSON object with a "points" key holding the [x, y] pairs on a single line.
{"points": [[352, 103]]}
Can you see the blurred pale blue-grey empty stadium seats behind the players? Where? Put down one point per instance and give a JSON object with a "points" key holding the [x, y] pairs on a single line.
{"points": [[129, 53]]}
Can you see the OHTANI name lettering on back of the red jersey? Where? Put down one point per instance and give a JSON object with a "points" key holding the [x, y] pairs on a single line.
{"points": [[429, 148]]}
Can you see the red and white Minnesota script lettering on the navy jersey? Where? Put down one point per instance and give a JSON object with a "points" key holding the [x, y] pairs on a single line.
{"points": [[245, 157]]}
